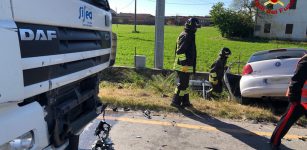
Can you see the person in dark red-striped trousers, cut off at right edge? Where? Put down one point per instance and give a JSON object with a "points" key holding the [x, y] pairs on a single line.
{"points": [[297, 94]]}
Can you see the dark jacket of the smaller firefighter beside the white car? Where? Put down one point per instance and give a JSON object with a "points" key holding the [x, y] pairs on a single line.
{"points": [[217, 70]]}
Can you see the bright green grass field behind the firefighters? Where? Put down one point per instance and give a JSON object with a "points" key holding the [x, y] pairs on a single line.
{"points": [[209, 42]]}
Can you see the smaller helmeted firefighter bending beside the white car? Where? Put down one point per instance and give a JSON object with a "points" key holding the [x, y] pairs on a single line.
{"points": [[217, 71]]}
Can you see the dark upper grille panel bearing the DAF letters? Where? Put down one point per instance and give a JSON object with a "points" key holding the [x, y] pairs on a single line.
{"points": [[35, 40]]}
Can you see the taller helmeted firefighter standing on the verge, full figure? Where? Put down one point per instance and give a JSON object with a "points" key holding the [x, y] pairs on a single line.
{"points": [[185, 62]]}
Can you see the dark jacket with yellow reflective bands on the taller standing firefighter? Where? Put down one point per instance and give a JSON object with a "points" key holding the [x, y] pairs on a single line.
{"points": [[186, 52]]}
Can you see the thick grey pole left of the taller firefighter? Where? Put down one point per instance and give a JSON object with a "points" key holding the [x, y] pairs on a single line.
{"points": [[159, 40]]}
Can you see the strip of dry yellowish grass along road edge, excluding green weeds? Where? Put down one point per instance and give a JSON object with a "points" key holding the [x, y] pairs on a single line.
{"points": [[142, 99]]}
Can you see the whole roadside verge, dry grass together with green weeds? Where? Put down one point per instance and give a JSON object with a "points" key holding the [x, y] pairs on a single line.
{"points": [[143, 89]]}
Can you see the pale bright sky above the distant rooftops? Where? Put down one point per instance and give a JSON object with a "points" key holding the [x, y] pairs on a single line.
{"points": [[172, 8]]}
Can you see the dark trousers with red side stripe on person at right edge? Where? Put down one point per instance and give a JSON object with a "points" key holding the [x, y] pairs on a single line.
{"points": [[294, 112]]}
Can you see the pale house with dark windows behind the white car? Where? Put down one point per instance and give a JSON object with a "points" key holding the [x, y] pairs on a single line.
{"points": [[289, 25]]}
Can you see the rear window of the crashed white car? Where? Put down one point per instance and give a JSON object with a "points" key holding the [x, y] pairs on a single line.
{"points": [[284, 54]]}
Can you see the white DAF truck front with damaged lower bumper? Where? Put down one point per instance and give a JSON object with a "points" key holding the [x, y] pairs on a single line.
{"points": [[52, 52]]}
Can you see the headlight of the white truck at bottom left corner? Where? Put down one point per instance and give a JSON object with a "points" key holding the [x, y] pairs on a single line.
{"points": [[24, 142]]}
